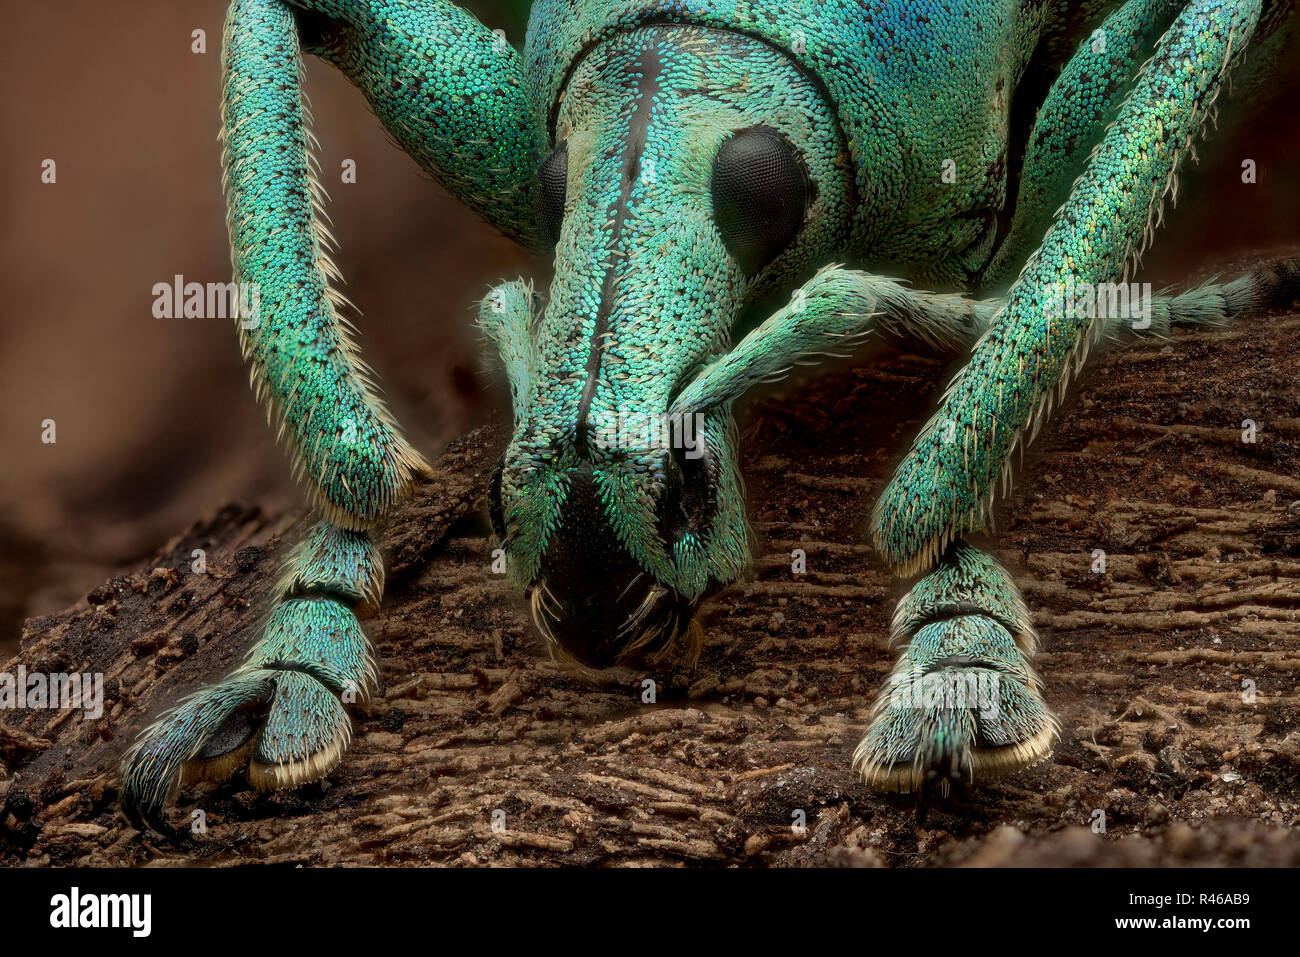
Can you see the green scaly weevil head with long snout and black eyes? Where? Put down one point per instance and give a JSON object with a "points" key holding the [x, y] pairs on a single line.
{"points": [[694, 171]]}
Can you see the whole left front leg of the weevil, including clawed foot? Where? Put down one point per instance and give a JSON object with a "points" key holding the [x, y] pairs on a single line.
{"points": [[280, 714]]}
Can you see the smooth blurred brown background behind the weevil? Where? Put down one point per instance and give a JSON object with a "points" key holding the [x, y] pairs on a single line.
{"points": [[155, 422]]}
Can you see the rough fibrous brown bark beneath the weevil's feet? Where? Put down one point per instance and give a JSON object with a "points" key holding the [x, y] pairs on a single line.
{"points": [[1145, 664]]}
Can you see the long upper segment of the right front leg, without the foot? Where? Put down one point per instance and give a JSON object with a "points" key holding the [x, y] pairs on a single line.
{"points": [[946, 486]]}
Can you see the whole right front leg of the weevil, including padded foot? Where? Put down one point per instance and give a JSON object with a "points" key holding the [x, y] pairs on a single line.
{"points": [[946, 486]]}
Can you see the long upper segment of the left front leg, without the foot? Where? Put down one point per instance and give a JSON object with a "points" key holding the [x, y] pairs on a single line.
{"points": [[346, 448]]}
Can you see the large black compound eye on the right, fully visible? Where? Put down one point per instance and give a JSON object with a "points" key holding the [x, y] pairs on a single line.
{"points": [[761, 194]]}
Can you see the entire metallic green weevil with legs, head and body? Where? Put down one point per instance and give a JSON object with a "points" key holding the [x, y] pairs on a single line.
{"points": [[682, 161]]}
